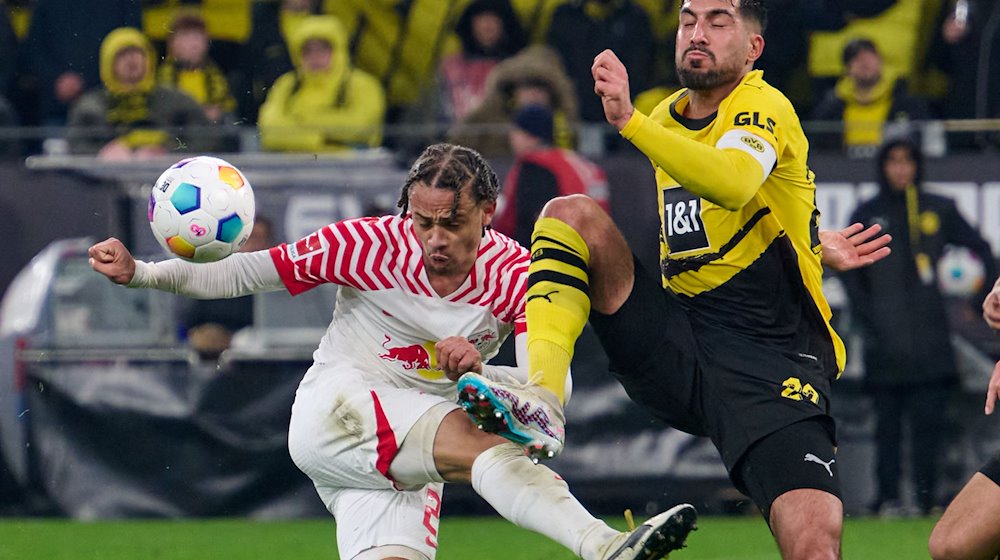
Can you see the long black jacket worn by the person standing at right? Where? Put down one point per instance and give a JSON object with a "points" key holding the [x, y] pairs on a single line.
{"points": [[902, 320]]}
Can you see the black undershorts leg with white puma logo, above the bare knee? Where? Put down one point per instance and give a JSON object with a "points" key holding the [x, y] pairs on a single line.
{"points": [[801, 455]]}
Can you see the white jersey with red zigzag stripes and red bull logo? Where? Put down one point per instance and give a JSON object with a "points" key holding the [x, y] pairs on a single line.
{"points": [[387, 318]]}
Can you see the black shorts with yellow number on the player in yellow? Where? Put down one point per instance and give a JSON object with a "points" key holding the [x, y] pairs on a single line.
{"points": [[705, 380]]}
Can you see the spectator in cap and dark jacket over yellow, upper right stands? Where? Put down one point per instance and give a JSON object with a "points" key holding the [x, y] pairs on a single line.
{"points": [[866, 99]]}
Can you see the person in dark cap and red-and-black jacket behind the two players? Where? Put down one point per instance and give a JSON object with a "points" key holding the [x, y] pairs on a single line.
{"points": [[542, 172]]}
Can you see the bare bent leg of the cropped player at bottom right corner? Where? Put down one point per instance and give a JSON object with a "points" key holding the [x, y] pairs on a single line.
{"points": [[970, 527]]}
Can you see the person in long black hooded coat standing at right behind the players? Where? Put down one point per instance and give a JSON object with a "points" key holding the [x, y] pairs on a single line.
{"points": [[898, 305]]}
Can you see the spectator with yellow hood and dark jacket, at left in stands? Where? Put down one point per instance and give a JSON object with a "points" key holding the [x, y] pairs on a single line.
{"points": [[130, 116]]}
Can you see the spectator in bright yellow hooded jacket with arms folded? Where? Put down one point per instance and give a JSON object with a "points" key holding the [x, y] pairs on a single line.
{"points": [[325, 104]]}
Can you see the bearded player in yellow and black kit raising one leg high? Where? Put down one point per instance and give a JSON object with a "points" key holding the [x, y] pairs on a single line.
{"points": [[732, 340]]}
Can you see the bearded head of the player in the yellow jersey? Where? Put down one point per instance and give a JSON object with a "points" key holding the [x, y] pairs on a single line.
{"points": [[715, 45]]}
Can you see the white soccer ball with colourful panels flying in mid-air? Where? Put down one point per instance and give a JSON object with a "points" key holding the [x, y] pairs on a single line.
{"points": [[201, 209]]}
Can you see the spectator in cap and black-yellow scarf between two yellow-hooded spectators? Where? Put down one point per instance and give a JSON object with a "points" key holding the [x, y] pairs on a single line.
{"points": [[189, 68]]}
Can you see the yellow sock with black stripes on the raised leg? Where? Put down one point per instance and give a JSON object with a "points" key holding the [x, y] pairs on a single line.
{"points": [[558, 303]]}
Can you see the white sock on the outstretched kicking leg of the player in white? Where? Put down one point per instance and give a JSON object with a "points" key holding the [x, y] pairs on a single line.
{"points": [[536, 498]]}
